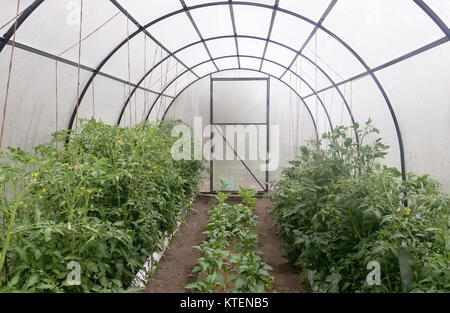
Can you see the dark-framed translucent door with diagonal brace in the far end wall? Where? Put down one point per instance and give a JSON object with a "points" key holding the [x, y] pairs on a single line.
{"points": [[242, 105]]}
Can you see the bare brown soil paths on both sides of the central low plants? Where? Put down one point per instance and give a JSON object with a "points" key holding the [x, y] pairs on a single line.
{"points": [[179, 259]]}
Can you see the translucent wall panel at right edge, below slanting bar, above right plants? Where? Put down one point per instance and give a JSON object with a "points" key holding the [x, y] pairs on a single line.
{"points": [[419, 89]]}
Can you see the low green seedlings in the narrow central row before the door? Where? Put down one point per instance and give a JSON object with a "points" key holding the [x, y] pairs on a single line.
{"points": [[231, 260]]}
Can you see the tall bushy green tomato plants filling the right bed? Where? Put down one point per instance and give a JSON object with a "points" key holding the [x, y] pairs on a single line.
{"points": [[345, 219]]}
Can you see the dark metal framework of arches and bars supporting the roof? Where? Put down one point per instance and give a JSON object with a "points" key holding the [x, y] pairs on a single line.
{"points": [[275, 7]]}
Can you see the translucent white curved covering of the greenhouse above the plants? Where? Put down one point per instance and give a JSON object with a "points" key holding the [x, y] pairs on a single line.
{"points": [[124, 61]]}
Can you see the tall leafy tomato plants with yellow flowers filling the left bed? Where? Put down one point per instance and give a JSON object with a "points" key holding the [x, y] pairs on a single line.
{"points": [[85, 216]]}
